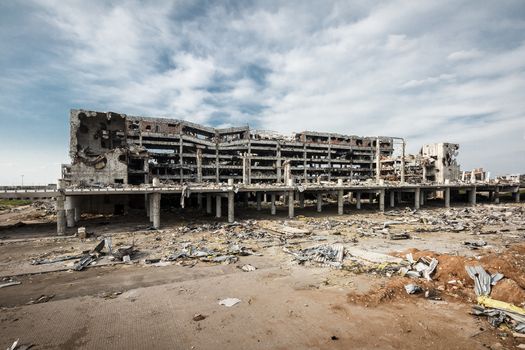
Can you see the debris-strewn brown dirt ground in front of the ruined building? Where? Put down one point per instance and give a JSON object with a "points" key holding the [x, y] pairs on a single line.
{"points": [[284, 304]]}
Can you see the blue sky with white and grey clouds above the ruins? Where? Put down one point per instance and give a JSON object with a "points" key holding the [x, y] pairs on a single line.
{"points": [[429, 71]]}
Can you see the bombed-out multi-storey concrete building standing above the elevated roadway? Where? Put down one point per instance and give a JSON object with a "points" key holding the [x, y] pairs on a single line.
{"points": [[112, 148]]}
